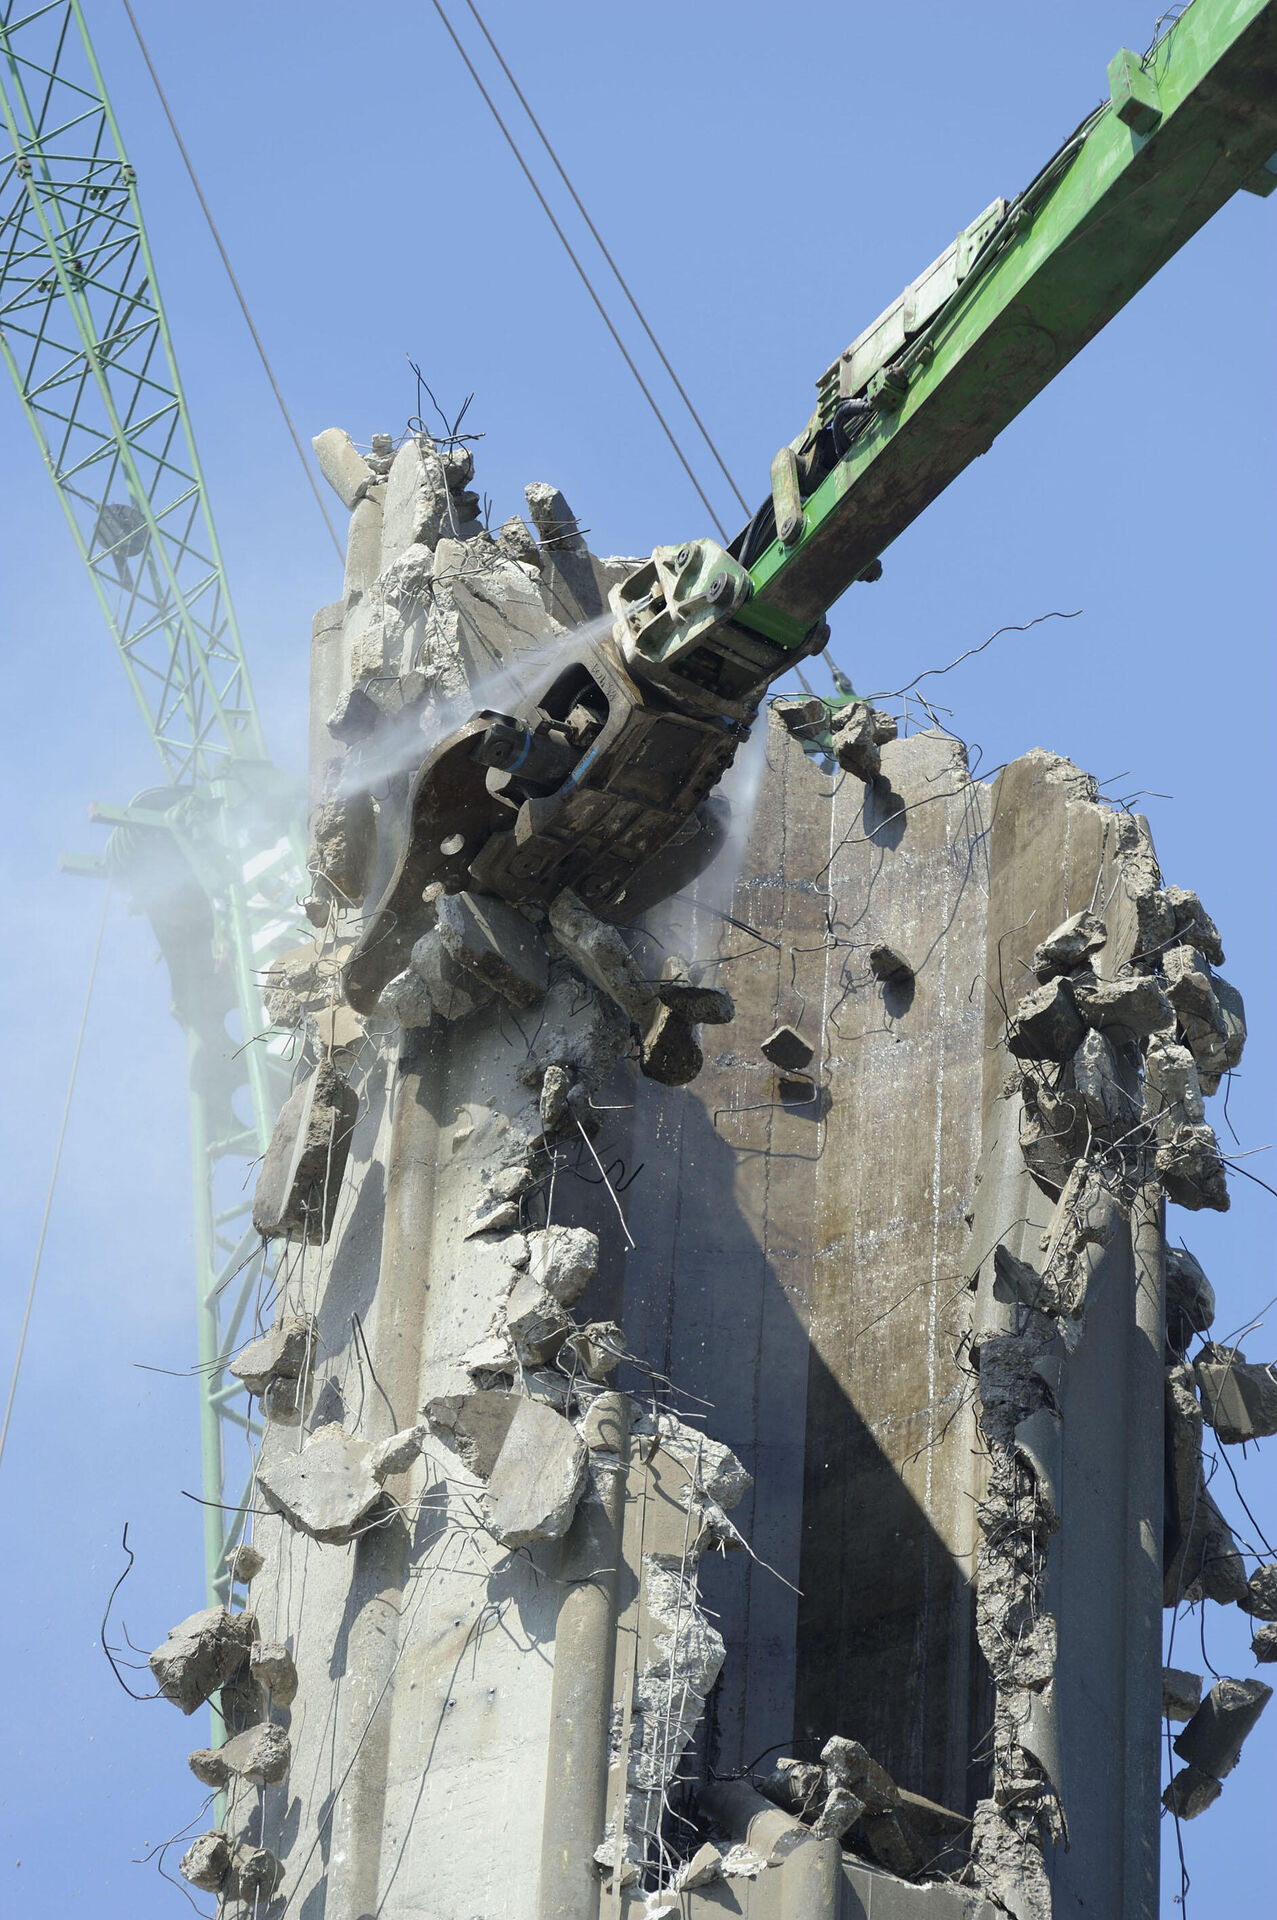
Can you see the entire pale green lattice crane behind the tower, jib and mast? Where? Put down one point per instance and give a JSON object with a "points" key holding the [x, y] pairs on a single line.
{"points": [[212, 855]]}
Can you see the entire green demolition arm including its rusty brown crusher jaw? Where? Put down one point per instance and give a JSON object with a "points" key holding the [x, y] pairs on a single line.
{"points": [[612, 761]]}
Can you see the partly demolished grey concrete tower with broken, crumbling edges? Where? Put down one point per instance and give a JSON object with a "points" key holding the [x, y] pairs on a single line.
{"points": [[832, 1426]]}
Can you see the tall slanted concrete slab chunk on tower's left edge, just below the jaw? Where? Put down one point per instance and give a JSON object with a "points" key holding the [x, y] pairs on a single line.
{"points": [[304, 1166]]}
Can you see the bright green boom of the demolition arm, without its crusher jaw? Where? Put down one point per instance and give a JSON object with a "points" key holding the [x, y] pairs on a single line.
{"points": [[1107, 212]]}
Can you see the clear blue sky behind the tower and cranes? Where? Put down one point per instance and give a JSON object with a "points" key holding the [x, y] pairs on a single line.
{"points": [[769, 180]]}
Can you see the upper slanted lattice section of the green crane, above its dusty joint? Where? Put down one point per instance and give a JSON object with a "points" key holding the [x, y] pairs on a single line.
{"points": [[87, 345]]}
